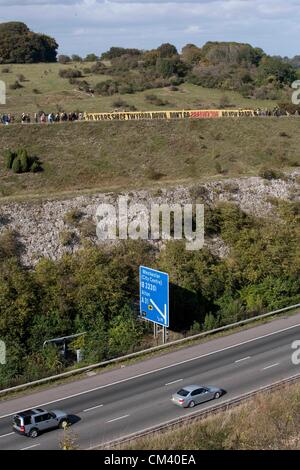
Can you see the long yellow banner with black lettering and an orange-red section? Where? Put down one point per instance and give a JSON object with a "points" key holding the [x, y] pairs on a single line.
{"points": [[165, 115]]}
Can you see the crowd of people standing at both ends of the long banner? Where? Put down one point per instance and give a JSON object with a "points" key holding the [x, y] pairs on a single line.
{"points": [[44, 118]]}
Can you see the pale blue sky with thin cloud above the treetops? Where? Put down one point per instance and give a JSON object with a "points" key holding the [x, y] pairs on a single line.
{"points": [[93, 26]]}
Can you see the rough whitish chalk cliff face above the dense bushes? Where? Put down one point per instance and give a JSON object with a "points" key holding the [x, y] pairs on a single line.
{"points": [[53, 227]]}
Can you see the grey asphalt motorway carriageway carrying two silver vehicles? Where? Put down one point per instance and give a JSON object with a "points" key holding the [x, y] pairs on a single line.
{"points": [[128, 399]]}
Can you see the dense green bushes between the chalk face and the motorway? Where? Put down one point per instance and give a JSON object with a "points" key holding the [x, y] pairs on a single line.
{"points": [[95, 290]]}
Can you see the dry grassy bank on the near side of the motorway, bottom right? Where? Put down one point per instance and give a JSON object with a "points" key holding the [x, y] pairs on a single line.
{"points": [[268, 422]]}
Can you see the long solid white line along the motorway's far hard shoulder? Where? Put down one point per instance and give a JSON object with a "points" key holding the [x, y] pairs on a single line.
{"points": [[154, 370]]}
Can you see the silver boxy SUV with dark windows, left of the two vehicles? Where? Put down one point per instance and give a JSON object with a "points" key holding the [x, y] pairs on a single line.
{"points": [[33, 422]]}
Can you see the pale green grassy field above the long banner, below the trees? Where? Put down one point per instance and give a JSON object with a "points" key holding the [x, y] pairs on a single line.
{"points": [[55, 93]]}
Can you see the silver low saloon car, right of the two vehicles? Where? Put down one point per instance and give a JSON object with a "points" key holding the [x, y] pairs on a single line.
{"points": [[192, 395]]}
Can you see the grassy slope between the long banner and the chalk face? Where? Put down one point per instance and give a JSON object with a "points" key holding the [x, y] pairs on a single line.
{"points": [[112, 156]]}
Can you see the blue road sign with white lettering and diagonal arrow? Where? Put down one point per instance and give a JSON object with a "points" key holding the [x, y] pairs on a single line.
{"points": [[154, 296]]}
